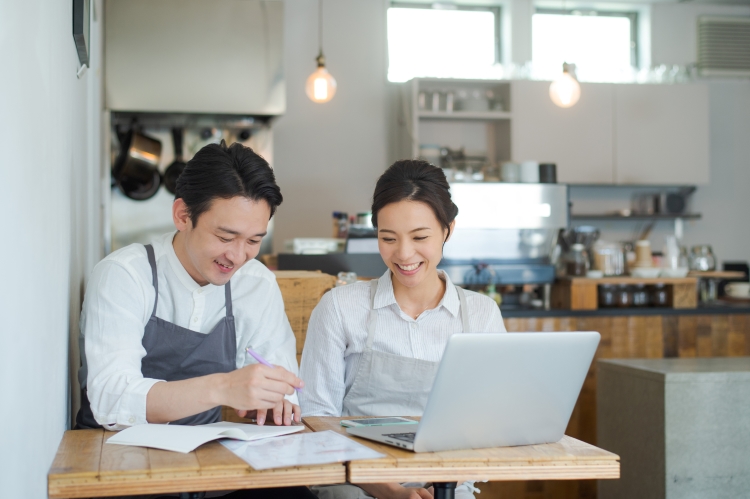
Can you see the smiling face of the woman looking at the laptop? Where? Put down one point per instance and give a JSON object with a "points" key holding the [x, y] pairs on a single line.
{"points": [[410, 240]]}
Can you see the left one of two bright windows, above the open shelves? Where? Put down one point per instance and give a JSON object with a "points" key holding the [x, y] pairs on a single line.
{"points": [[444, 42]]}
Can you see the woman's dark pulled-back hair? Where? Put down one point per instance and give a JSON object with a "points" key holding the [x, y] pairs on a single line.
{"points": [[415, 180]]}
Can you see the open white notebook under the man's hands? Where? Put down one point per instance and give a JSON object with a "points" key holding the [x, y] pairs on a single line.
{"points": [[180, 438]]}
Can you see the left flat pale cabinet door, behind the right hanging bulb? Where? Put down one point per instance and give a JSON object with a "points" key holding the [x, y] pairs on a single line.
{"points": [[578, 139]]}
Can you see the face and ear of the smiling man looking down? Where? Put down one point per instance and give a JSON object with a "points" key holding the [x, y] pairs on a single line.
{"points": [[225, 237]]}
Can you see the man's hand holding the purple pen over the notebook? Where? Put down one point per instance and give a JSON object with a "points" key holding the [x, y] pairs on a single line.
{"points": [[257, 387]]}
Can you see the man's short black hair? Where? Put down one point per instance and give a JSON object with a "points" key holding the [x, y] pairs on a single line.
{"points": [[218, 171]]}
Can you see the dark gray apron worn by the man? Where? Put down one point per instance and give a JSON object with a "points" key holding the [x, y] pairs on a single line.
{"points": [[175, 353]]}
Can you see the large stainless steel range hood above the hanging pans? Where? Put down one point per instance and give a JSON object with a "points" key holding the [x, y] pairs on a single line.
{"points": [[195, 56]]}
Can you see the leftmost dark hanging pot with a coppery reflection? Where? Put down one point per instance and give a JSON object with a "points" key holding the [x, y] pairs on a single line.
{"points": [[136, 169]]}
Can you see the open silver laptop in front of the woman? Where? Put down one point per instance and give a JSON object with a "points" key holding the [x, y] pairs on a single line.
{"points": [[496, 390]]}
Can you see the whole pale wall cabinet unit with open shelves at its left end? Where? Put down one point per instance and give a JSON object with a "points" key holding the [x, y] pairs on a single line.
{"points": [[631, 134]]}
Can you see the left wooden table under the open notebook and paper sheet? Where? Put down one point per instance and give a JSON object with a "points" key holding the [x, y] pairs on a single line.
{"points": [[86, 467]]}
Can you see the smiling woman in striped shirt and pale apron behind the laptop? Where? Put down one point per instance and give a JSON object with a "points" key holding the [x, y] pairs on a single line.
{"points": [[373, 348]]}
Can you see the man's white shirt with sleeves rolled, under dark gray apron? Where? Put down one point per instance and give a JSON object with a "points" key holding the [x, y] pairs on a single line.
{"points": [[118, 304]]}
